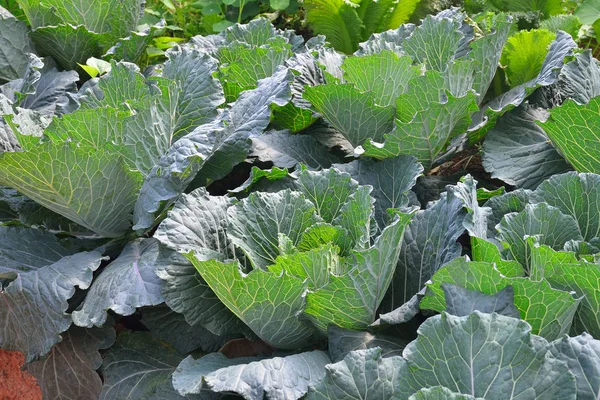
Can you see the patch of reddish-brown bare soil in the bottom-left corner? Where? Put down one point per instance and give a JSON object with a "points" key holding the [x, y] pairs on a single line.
{"points": [[14, 383]]}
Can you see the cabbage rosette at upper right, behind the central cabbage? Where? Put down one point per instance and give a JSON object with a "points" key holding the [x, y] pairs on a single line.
{"points": [[420, 90]]}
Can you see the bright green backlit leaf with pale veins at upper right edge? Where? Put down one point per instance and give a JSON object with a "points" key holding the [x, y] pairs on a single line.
{"points": [[573, 129]]}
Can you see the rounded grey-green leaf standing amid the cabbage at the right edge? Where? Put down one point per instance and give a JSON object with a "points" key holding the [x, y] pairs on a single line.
{"points": [[553, 227]]}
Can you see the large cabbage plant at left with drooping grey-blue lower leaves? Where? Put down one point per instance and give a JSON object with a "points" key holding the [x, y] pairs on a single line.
{"points": [[127, 148]]}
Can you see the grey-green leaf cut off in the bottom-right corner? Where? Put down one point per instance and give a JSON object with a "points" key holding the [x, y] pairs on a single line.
{"points": [[582, 355]]}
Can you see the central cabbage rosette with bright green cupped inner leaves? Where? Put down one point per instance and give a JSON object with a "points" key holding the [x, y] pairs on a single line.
{"points": [[291, 262]]}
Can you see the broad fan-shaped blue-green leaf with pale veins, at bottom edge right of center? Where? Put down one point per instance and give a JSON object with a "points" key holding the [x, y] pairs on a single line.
{"points": [[484, 355]]}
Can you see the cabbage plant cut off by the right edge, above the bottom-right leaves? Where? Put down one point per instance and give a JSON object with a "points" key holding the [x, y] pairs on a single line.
{"points": [[546, 261]]}
